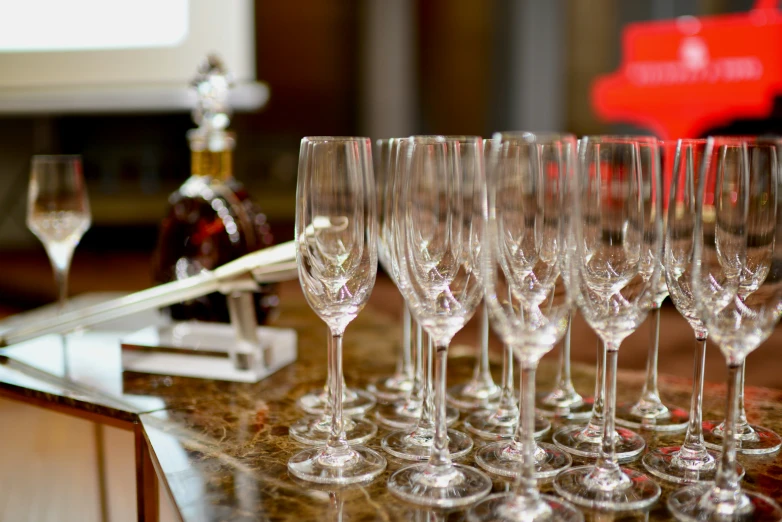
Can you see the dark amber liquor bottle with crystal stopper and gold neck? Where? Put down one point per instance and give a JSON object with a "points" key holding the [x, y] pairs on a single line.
{"points": [[211, 219]]}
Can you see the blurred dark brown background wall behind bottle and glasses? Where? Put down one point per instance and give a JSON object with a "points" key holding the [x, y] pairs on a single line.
{"points": [[334, 67]]}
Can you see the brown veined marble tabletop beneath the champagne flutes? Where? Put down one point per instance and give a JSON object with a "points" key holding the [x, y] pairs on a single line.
{"points": [[222, 447]]}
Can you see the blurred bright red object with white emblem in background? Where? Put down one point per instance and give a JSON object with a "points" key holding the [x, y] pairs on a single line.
{"points": [[679, 78]]}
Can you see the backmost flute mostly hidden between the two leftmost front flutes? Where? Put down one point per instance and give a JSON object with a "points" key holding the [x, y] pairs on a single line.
{"points": [[400, 384]]}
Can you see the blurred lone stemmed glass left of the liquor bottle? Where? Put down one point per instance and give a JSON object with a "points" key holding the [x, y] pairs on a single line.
{"points": [[58, 212]]}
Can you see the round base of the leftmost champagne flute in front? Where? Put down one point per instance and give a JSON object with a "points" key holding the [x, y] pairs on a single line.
{"points": [[315, 465]]}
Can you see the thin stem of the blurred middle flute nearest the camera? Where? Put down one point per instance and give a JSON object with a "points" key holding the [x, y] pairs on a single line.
{"points": [[526, 485]]}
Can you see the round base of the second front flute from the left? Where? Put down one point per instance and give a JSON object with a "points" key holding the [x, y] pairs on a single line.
{"points": [[448, 486]]}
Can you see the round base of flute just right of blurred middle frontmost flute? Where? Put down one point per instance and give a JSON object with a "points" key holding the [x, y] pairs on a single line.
{"points": [[636, 493]]}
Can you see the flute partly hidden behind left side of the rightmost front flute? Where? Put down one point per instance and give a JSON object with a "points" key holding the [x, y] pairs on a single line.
{"points": [[692, 461]]}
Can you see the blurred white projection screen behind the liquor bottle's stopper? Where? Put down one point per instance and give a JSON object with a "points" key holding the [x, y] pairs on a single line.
{"points": [[120, 55]]}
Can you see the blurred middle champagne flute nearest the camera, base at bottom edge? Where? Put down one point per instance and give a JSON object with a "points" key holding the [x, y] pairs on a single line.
{"points": [[529, 304]]}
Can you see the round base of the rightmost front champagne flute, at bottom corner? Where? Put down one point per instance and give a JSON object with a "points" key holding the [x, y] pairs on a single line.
{"points": [[688, 504]]}
